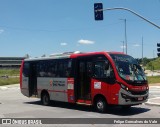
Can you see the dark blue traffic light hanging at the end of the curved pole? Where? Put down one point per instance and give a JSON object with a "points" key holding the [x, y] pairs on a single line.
{"points": [[98, 12]]}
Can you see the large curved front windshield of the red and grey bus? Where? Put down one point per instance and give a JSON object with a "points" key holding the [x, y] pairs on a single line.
{"points": [[128, 68]]}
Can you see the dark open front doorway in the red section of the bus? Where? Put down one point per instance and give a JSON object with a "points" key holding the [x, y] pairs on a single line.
{"points": [[83, 81]]}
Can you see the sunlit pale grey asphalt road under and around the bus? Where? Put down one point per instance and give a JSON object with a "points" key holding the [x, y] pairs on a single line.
{"points": [[14, 105]]}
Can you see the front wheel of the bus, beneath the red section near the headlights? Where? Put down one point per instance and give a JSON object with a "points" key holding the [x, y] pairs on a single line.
{"points": [[100, 105]]}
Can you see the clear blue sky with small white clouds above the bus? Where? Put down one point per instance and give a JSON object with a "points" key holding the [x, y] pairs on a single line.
{"points": [[38, 27]]}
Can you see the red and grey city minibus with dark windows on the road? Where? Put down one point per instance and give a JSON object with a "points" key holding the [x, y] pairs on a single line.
{"points": [[99, 79]]}
